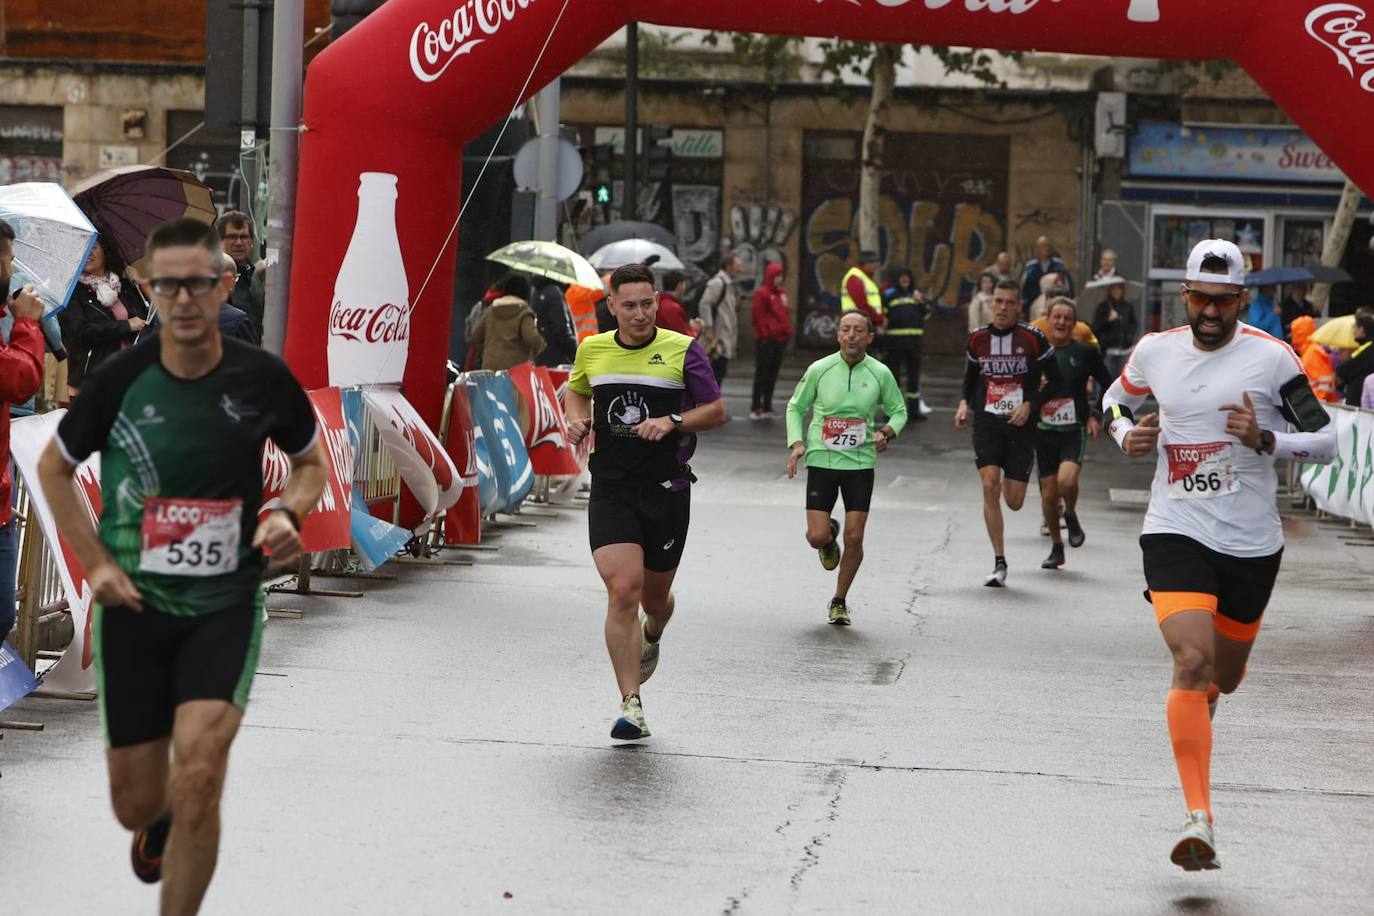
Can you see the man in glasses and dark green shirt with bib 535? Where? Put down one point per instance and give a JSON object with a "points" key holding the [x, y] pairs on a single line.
{"points": [[177, 566]]}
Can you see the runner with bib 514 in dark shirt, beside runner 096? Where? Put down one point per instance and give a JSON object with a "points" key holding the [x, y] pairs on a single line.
{"points": [[1064, 422]]}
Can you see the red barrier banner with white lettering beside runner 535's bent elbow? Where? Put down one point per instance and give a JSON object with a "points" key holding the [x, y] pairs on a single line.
{"points": [[328, 525]]}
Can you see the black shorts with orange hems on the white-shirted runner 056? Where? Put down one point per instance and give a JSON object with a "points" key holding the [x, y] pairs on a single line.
{"points": [[1184, 575]]}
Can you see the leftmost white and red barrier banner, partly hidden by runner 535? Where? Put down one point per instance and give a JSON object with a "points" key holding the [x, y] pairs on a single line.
{"points": [[28, 439]]}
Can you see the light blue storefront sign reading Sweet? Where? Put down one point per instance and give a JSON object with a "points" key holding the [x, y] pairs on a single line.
{"points": [[1244, 154]]}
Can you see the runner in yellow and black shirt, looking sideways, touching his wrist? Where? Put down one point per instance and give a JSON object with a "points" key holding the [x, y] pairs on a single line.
{"points": [[645, 393]]}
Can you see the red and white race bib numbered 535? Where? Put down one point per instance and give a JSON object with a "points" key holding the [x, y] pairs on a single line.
{"points": [[192, 538]]}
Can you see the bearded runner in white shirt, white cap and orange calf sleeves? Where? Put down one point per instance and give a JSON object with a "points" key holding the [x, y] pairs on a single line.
{"points": [[1213, 536]]}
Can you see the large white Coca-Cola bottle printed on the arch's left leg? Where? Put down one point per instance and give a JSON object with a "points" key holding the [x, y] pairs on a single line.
{"points": [[370, 321]]}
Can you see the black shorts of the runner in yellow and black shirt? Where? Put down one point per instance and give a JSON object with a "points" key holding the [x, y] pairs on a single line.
{"points": [[645, 514]]}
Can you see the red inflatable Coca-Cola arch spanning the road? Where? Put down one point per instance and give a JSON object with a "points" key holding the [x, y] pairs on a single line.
{"points": [[401, 95]]}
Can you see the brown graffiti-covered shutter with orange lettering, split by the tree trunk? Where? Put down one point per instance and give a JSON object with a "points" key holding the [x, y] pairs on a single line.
{"points": [[943, 214]]}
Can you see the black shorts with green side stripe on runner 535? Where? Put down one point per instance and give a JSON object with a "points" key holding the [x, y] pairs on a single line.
{"points": [[150, 663]]}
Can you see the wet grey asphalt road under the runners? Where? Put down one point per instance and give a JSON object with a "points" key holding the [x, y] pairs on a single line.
{"points": [[442, 745]]}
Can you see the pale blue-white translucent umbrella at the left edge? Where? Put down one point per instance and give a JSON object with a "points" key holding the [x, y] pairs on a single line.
{"points": [[53, 241]]}
